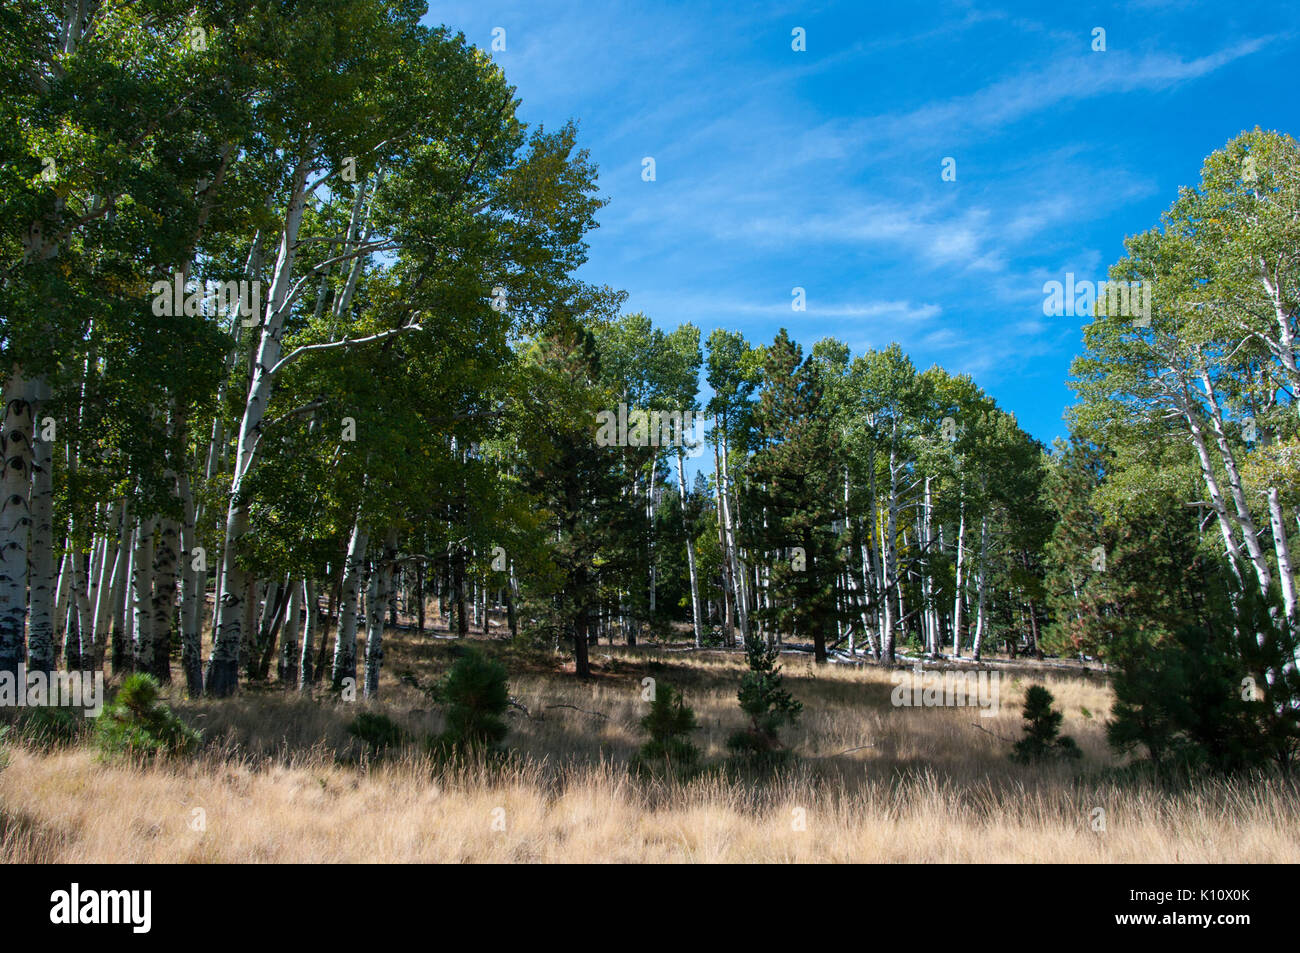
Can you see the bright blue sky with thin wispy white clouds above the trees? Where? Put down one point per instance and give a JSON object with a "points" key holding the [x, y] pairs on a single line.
{"points": [[822, 170]]}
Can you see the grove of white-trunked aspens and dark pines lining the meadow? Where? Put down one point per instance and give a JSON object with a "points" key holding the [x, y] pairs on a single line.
{"points": [[296, 353]]}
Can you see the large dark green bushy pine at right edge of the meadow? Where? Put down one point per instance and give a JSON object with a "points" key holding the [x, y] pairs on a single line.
{"points": [[1217, 696]]}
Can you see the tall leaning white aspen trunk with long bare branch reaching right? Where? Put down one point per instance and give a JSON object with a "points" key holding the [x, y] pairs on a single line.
{"points": [[223, 674]]}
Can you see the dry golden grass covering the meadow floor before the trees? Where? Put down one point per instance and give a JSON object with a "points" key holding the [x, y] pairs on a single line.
{"points": [[283, 782]]}
